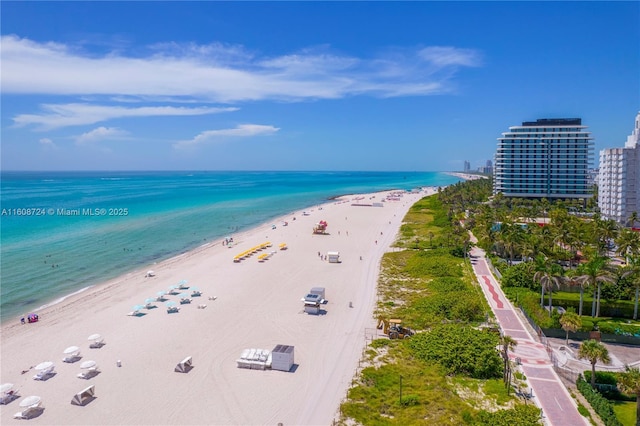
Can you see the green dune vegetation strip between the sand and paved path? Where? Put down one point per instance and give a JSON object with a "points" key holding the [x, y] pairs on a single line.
{"points": [[450, 372]]}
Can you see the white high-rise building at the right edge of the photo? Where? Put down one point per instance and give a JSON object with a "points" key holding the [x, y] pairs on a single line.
{"points": [[619, 179]]}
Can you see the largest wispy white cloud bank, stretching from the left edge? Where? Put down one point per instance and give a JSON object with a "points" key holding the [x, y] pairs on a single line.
{"points": [[229, 74]]}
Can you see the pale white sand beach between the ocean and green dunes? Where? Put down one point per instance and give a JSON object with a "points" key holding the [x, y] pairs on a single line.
{"points": [[257, 305]]}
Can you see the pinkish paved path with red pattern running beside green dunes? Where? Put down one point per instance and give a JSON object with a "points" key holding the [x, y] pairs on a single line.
{"points": [[549, 393]]}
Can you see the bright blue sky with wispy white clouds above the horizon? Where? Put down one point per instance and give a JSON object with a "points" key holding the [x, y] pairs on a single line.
{"points": [[305, 85]]}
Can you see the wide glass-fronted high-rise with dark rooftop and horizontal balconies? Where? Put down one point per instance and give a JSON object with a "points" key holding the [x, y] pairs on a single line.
{"points": [[547, 158]]}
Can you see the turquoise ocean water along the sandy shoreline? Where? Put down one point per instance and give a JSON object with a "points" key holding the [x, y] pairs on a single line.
{"points": [[62, 232]]}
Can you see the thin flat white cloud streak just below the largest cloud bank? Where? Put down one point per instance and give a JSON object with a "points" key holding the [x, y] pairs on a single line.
{"points": [[63, 115]]}
